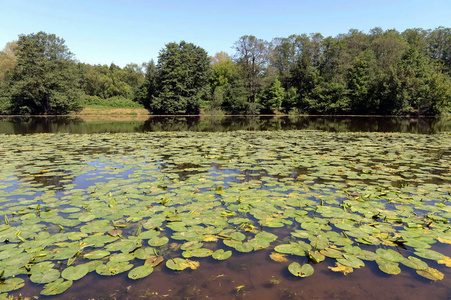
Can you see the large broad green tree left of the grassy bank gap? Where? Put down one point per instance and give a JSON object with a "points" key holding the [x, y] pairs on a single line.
{"points": [[45, 79]]}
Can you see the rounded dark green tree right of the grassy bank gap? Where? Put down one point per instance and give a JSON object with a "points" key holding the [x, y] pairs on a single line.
{"points": [[182, 83]]}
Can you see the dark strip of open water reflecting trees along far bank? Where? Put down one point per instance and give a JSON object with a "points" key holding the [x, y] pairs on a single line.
{"points": [[101, 124]]}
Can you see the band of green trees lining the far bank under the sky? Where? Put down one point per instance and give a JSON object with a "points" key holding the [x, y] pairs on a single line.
{"points": [[382, 72]]}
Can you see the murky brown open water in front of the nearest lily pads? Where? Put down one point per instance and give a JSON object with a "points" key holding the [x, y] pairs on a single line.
{"points": [[260, 278]]}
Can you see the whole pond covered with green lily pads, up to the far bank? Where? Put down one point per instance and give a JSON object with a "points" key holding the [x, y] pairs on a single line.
{"points": [[208, 208]]}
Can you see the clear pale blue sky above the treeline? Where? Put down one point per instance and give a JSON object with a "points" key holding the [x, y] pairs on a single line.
{"points": [[134, 31]]}
